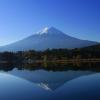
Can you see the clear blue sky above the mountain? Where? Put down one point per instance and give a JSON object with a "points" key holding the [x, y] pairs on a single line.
{"points": [[22, 18]]}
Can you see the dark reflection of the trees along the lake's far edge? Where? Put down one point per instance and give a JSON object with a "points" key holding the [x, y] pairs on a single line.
{"points": [[52, 66]]}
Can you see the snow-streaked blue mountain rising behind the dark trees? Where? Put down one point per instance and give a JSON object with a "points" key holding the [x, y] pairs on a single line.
{"points": [[50, 38]]}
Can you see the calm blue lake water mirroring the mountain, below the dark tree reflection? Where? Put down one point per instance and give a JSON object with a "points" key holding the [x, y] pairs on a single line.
{"points": [[40, 84]]}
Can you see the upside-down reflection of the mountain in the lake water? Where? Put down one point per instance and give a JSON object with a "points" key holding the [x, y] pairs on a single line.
{"points": [[49, 80]]}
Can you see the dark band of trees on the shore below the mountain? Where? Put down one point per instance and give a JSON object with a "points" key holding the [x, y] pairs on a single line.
{"points": [[51, 54]]}
